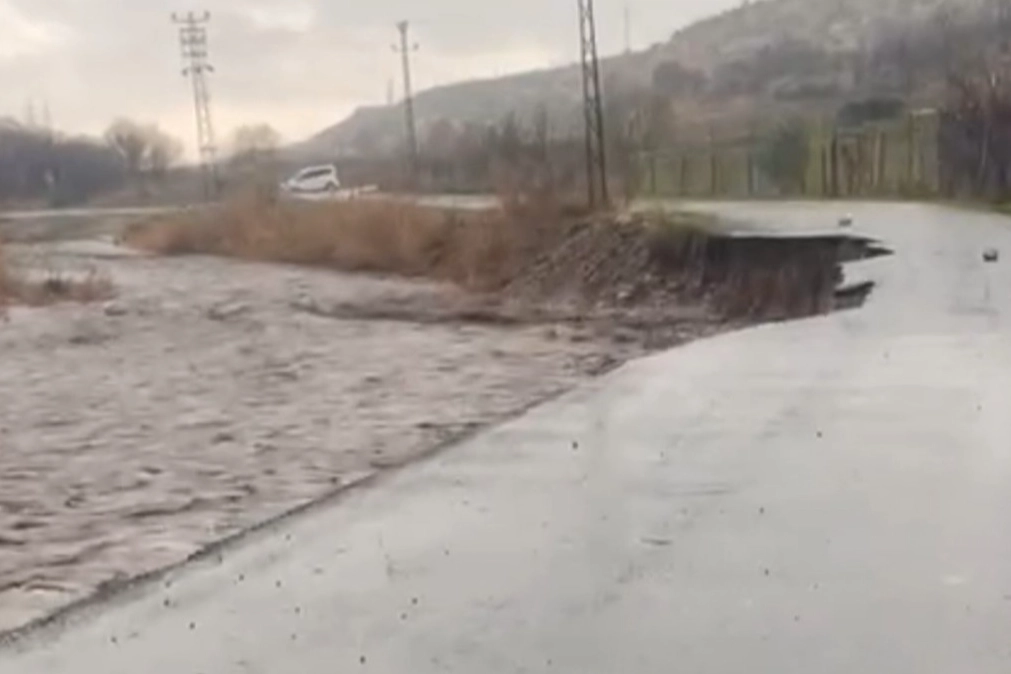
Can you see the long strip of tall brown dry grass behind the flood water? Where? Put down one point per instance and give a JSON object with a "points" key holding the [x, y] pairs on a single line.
{"points": [[478, 250]]}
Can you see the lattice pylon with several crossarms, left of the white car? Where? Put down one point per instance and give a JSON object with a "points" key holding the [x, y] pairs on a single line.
{"points": [[194, 43]]}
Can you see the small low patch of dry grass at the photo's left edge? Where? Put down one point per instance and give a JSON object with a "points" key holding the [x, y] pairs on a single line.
{"points": [[50, 288]]}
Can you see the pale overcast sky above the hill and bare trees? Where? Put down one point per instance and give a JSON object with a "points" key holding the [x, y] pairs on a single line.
{"points": [[299, 65]]}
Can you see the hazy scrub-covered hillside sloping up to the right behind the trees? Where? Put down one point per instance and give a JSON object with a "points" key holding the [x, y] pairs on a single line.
{"points": [[766, 59]]}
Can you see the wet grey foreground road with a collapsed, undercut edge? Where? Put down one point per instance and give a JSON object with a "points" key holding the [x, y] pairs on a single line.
{"points": [[829, 496]]}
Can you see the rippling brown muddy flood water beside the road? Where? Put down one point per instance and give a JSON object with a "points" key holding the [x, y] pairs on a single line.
{"points": [[211, 396]]}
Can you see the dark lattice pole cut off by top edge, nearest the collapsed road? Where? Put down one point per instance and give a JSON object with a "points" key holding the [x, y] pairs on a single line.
{"points": [[597, 161]]}
